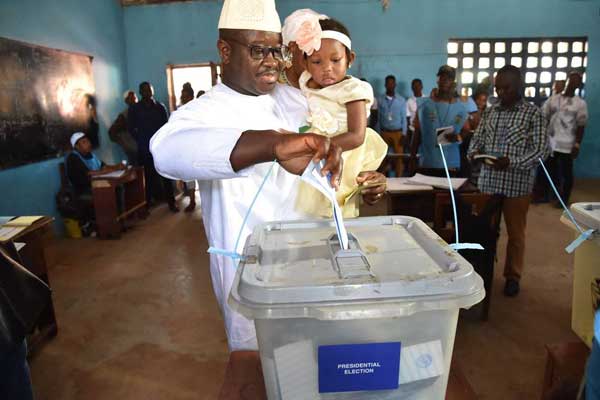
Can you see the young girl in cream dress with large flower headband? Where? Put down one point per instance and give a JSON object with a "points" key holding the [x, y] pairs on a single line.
{"points": [[339, 106]]}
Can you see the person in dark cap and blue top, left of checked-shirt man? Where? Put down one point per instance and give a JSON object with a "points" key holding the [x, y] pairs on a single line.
{"points": [[440, 120]]}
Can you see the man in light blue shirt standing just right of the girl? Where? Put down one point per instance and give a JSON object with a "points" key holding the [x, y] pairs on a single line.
{"points": [[392, 120]]}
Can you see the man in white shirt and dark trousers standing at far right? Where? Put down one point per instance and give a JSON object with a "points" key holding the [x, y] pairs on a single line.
{"points": [[566, 115]]}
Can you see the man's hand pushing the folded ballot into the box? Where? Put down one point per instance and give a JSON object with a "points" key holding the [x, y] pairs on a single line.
{"points": [[294, 152]]}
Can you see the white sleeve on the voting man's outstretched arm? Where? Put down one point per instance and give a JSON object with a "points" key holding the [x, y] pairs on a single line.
{"points": [[186, 148]]}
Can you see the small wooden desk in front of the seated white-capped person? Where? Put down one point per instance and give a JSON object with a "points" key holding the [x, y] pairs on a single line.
{"points": [[104, 191]]}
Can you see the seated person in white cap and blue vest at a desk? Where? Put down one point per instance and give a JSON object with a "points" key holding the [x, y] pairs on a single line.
{"points": [[80, 165]]}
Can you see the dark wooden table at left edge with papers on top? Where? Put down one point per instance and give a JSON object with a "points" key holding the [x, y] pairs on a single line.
{"points": [[34, 259]]}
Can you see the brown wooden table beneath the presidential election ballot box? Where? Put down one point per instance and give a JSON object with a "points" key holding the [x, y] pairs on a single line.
{"points": [[244, 380]]}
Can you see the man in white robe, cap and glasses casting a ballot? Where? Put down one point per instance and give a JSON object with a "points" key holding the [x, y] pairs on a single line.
{"points": [[226, 140]]}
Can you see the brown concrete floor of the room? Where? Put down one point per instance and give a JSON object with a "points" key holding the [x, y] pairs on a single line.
{"points": [[137, 318]]}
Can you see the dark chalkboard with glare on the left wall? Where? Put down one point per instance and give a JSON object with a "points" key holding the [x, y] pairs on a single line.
{"points": [[45, 96]]}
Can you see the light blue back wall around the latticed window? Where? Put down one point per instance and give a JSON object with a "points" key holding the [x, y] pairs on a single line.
{"points": [[409, 40]]}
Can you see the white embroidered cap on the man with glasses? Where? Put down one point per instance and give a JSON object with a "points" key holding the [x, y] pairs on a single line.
{"points": [[255, 15]]}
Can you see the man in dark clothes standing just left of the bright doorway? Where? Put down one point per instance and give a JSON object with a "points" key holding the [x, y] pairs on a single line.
{"points": [[144, 119]]}
